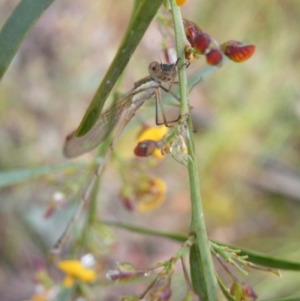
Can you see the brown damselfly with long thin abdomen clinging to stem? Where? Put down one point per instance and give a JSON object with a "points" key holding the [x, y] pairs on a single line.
{"points": [[145, 89]]}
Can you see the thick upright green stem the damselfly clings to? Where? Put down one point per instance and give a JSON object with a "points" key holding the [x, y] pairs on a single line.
{"points": [[208, 291]]}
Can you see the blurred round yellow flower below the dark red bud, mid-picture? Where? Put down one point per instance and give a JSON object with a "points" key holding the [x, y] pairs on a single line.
{"points": [[152, 196]]}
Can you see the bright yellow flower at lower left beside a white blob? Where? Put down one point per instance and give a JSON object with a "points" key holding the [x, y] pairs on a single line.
{"points": [[74, 269]]}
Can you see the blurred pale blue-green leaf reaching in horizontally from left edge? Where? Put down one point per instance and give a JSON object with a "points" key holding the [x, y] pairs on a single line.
{"points": [[17, 176]]}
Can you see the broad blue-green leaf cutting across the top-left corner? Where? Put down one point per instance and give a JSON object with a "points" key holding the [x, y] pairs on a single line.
{"points": [[17, 27]]}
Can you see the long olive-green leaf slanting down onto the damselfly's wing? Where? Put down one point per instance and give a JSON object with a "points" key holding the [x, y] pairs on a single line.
{"points": [[144, 12]]}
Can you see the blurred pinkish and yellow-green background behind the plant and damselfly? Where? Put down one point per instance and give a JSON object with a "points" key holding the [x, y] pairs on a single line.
{"points": [[248, 129]]}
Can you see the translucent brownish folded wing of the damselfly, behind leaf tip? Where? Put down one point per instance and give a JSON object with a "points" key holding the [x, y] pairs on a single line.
{"points": [[76, 146]]}
